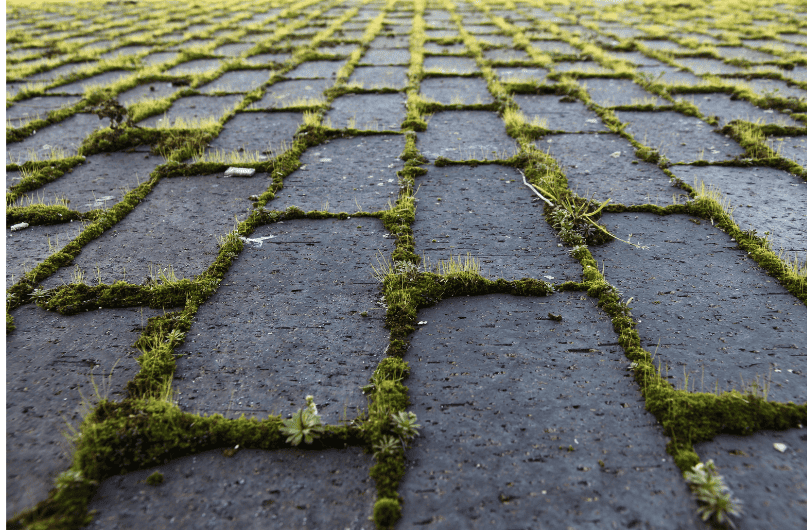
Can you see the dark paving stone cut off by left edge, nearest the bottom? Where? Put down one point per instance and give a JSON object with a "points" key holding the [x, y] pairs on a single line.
{"points": [[50, 363]]}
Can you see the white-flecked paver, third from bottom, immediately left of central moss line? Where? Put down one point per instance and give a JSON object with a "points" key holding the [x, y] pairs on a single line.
{"points": [[347, 174]]}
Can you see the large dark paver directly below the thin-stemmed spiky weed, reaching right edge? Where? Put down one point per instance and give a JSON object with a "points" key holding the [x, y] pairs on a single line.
{"points": [[719, 321]]}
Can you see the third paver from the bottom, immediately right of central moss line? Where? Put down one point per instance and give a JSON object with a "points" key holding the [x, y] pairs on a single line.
{"points": [[466, 135]]}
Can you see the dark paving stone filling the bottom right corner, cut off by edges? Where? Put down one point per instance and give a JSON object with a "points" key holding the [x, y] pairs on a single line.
{"points": [[770, 484]]}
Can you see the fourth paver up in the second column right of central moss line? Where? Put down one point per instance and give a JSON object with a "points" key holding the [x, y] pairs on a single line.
{"points": [[560, 115]]}
